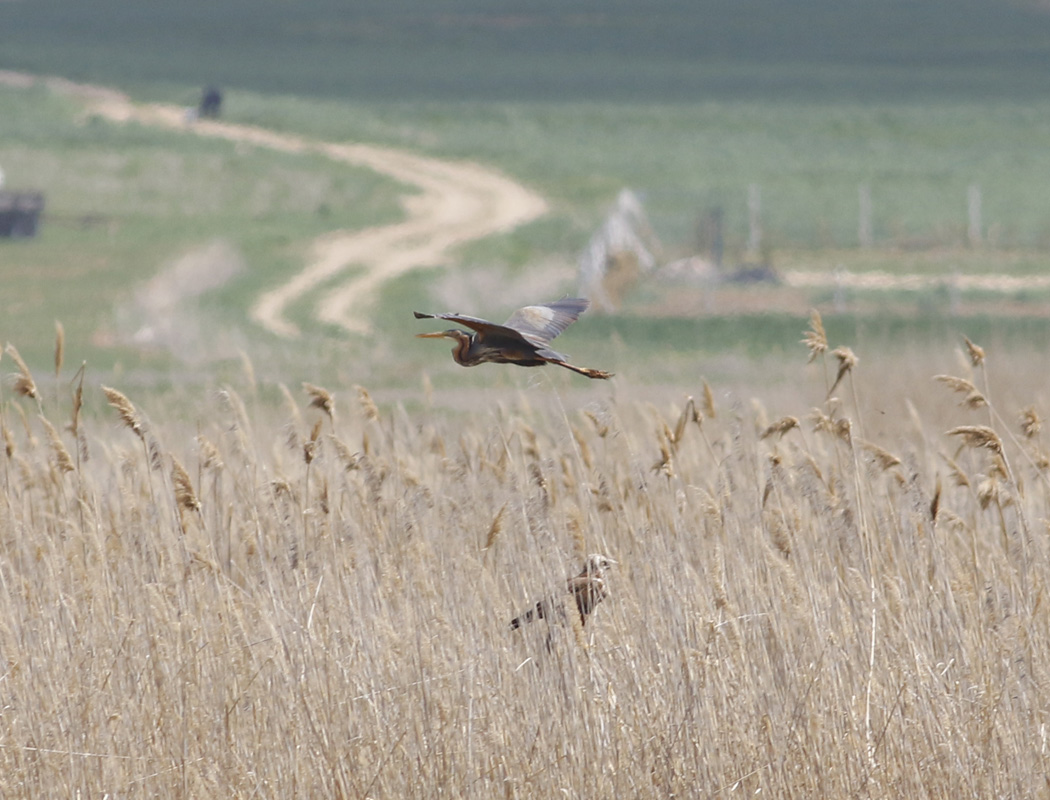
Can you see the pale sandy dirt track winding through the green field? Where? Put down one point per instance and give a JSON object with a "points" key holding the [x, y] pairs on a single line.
{"points": [[456, 203]]}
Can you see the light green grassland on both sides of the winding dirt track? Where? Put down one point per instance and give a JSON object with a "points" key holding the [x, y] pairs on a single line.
{"points": [[128, 202]]}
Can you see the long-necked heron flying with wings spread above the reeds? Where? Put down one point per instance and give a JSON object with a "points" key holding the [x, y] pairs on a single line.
{"points": [[522, 341]]}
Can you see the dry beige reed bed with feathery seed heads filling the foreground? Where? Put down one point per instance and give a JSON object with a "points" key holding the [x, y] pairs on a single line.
{"points": [[316, 601]]}
